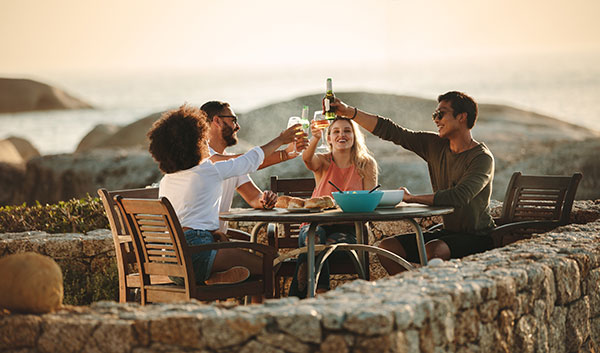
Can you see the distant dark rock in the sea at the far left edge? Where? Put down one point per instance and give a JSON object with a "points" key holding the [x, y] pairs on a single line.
{"points": [[19, 95]]}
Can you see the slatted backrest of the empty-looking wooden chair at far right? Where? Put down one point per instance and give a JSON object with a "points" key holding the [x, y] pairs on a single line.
{"points": [[545, 198]]}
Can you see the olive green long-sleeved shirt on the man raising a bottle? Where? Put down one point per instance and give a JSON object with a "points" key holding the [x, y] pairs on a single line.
{"points": [[460, 180]]}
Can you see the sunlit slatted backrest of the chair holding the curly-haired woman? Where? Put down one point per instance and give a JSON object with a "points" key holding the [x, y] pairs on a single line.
{"points": [[158, 240]]}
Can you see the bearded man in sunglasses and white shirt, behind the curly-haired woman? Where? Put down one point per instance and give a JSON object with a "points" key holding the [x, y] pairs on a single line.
{"points": [[223, 128]]}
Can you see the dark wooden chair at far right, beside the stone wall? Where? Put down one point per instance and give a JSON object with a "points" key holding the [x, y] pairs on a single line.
{"points": [[534, 204]]}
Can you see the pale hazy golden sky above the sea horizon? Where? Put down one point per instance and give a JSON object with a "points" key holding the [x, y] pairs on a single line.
{"points": [[37, 36]]}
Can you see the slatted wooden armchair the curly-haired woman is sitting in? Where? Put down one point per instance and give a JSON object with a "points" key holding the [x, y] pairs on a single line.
{"points": [[161, 250]]}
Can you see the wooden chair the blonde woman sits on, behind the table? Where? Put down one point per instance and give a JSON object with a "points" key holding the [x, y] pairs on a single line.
{"points": [[339, 263]]}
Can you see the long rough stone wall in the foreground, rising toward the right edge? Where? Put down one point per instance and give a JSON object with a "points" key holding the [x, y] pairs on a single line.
{"points": [[536, 295]]}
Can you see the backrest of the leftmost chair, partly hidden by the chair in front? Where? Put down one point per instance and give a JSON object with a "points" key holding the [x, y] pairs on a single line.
{"points": [[124, 253]]}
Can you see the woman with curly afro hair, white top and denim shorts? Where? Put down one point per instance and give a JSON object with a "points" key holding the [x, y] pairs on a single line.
{"points": [[193, 185]]}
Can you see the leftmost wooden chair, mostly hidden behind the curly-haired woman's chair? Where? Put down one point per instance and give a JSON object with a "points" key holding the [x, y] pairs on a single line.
{"points": [[128, 273]]}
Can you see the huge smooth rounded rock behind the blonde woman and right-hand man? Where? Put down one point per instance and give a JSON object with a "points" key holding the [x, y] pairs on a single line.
{"points": [[513, 135]]}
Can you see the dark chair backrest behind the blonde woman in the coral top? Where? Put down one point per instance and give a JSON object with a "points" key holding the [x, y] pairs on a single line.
{"points": [[298, 187]]}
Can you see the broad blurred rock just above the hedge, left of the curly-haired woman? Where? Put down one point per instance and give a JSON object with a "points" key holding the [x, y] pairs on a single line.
{"points": [[53, 178]]}
